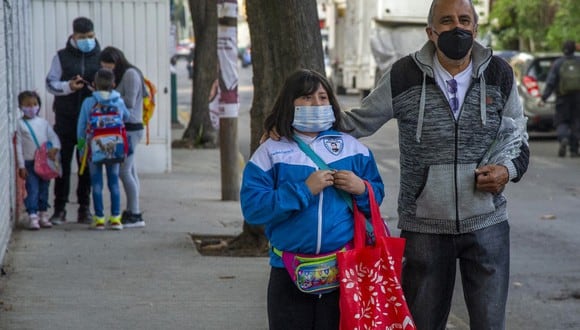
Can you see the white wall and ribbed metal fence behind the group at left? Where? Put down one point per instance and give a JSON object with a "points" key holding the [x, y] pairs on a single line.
{"points": [[31, 31]]}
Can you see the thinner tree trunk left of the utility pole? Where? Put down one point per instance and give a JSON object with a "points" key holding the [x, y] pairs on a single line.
{"points": [[199, 131]]}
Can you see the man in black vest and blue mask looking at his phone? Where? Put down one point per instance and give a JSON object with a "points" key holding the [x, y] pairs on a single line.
{"points": [[71, 72]]}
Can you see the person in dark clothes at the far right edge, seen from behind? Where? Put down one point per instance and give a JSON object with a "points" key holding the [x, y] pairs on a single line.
{"points": [[564, 79]]}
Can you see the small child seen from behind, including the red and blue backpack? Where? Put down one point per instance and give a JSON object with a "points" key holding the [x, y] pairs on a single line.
{"points": [[103, 141]]}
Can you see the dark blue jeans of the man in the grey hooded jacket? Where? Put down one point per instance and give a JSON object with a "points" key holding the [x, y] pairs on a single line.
{"points": [[429, 272]]}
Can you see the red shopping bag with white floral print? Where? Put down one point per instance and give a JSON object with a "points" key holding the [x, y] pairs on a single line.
{"points": [[371, 296]]}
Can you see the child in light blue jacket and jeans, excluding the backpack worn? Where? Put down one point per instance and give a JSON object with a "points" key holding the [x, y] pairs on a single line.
{"points": [[104, 95]]}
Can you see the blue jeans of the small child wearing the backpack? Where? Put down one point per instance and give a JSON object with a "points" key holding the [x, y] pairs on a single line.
{"points": [[113, 184]]}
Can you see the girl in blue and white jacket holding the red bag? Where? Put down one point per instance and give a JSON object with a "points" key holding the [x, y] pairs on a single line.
{"points": [[300, 204]]}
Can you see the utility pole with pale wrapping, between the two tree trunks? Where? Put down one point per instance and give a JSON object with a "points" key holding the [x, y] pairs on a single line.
{"points": [[228, 98]]}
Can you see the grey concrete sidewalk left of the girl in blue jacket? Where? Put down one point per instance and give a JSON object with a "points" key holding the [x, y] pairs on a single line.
{"points": [[69, 277]]}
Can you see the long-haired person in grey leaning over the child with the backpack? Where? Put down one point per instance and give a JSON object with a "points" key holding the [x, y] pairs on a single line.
{"points": [[129, 82]]}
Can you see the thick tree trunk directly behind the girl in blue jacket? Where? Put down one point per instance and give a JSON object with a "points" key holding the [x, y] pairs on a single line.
{"points": [[285, 37]]}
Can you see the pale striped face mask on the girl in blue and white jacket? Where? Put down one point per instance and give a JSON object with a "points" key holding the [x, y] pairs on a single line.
{"points": [[313, 119]]}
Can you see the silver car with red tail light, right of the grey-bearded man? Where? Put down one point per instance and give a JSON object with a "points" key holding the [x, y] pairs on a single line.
{"points": [[531, 72]]}
